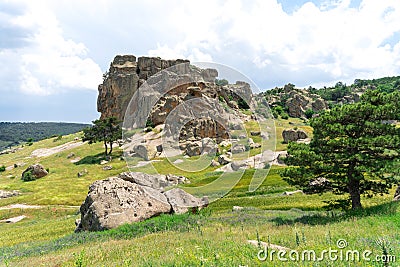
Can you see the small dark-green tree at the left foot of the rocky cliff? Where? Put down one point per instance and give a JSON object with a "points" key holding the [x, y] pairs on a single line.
{"points": [[104, 130]]}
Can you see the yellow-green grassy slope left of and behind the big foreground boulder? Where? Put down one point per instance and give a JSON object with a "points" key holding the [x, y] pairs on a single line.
{"points": [[62, 186]]}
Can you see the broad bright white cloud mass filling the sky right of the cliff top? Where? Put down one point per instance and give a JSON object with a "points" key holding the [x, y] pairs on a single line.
{"points": [[332, 38]]}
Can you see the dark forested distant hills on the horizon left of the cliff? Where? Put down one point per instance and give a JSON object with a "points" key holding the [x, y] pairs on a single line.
{"points": [[15, 133]]}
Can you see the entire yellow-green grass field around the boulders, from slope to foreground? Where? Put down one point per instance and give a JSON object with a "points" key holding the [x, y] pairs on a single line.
{"points": [[216, 236]]}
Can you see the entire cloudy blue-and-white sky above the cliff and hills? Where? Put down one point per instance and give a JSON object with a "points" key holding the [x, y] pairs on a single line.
{"points": [[53, 53]]}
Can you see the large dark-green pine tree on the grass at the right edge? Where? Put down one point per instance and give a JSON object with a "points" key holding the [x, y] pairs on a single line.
{"points": [[354, 150]]}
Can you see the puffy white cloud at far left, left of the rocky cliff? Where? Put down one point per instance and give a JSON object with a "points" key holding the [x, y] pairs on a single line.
{"points": [[48, 63]]}
